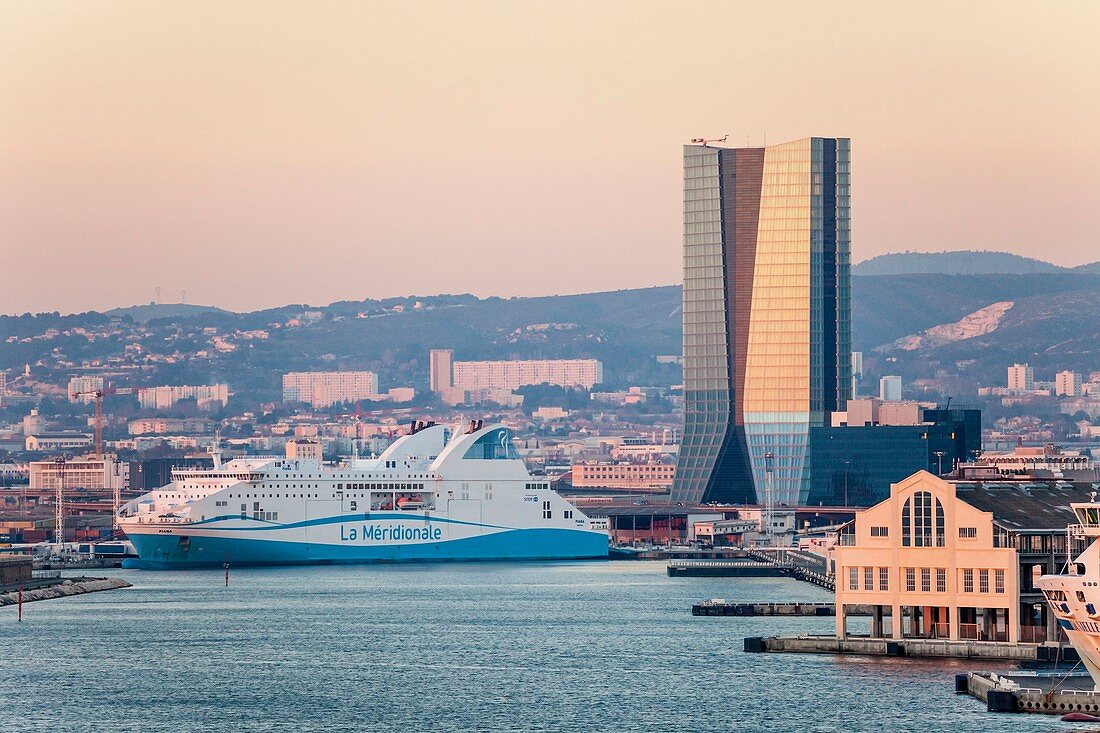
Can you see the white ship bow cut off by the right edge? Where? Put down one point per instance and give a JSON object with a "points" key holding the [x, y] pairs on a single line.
{"points": [[1075, 596]]}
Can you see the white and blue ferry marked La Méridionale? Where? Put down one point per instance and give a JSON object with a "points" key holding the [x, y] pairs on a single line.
{"points": [[436, 494]]}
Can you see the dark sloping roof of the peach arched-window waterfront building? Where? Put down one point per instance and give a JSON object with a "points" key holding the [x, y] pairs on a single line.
{"points": [[1027, 505]]}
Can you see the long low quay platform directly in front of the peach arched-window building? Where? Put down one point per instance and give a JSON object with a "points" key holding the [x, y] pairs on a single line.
{"points": [[910, 648]]}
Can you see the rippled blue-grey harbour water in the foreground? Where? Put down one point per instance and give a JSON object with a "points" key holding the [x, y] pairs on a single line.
{"points": [[598, 647]]}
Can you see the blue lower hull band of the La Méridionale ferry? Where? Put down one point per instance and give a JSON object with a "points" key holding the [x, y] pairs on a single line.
{"points": [[164, 552]]}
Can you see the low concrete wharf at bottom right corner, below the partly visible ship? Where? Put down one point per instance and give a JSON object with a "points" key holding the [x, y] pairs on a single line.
{"points": [[1054, 694]]}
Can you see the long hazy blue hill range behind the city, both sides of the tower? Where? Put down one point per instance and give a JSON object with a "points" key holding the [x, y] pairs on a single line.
{"points": [[917, 325]]}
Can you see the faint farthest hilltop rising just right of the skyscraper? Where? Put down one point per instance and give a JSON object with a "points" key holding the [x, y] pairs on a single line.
{"points": [[954, 264]]}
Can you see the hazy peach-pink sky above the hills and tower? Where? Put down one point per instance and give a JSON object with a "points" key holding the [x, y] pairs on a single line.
{"points": [[257, 155]]}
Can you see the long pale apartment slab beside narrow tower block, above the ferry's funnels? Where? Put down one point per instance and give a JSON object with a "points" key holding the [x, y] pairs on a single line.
{"points": [[514, 375]]}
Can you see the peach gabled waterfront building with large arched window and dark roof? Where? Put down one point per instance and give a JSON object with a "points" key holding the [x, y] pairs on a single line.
{"points": [[958, 561]]}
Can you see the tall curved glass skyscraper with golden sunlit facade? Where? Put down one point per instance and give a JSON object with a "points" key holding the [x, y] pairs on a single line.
{"points": [[767, 315]]}
